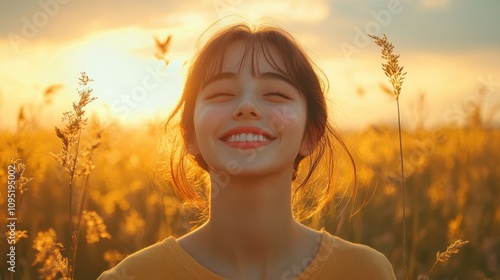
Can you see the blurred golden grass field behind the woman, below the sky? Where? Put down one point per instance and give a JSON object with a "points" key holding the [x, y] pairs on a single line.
{"points": [[452, 180]]}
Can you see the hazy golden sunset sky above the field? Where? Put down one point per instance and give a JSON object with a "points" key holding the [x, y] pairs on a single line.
{"points": [[449, 49]]}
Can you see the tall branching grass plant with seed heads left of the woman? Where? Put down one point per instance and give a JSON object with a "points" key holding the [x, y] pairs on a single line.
{"points": [[76, 160]]}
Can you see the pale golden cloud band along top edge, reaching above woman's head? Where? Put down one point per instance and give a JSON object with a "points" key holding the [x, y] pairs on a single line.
{"points": [[67, 20]]}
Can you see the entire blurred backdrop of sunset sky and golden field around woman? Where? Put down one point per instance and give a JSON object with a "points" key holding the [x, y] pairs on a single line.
{"points": [[451, 141]]}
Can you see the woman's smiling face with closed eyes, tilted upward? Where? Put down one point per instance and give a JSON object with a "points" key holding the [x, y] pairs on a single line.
{"points": [[249, 124]]}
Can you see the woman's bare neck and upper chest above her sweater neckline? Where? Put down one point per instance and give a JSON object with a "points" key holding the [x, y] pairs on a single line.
{"points": [[251, 233]]}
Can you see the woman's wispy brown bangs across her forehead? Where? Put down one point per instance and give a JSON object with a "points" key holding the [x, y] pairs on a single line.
{"points": [[256, 46]]}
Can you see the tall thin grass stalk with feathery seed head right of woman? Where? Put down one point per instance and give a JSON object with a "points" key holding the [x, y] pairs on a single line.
{"points": [[396, 76]]}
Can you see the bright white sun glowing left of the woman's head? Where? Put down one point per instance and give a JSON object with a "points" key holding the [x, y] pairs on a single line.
{"points": [[131, 86]]}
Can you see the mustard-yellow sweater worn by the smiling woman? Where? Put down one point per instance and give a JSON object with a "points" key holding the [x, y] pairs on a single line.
{"points": [[335, 259]]}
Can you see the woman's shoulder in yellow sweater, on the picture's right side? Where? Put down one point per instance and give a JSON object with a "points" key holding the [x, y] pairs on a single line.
{"points": [[351, 260]]}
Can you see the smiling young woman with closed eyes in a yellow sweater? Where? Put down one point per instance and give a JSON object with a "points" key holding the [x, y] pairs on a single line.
{"points": [[252, 112]]}
